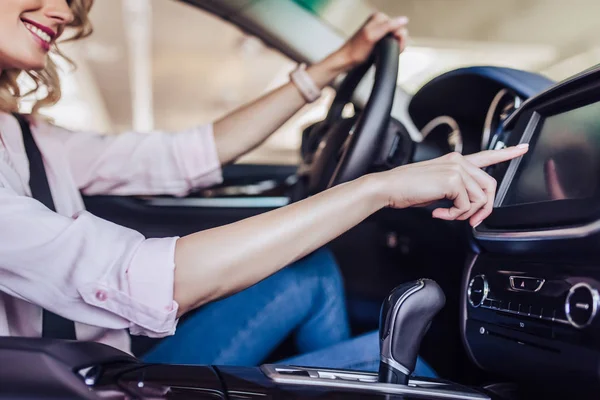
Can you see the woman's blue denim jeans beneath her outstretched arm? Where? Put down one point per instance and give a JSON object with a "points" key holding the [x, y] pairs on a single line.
{"points": [[305, 299]]}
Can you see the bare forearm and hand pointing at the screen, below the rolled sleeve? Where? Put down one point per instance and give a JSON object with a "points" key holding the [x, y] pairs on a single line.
{"points": [[218, 262]]}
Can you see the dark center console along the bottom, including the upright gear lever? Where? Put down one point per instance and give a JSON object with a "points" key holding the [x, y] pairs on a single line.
{"points": [[44, 368]]}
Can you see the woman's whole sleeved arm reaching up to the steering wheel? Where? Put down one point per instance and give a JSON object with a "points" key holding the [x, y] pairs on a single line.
{"points": [[135, 163]]}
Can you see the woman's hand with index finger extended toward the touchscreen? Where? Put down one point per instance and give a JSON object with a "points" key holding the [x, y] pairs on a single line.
{"points": [[453, 177]]}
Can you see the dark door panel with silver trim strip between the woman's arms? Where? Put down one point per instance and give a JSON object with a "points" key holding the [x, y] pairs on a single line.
{"points": [[247, 190]]}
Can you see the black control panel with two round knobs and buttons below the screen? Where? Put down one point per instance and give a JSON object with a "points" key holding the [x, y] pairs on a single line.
{"points": [[534, 320]]}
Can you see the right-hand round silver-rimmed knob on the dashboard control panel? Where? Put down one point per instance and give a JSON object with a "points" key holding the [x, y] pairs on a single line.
{"points": [[581, 305]]}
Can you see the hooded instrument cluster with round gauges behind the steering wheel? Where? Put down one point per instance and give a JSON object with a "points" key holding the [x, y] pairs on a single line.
{"points": [[463, 109]]}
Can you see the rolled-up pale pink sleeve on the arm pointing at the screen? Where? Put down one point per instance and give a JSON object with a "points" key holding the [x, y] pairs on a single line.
{"points": [[86, 269]]}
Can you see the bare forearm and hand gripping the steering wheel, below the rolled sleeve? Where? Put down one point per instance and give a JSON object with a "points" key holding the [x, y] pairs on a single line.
{"points": [[249, 126]]}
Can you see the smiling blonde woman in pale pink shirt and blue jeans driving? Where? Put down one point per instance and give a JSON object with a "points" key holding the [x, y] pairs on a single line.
{"points": [[241, 300]]}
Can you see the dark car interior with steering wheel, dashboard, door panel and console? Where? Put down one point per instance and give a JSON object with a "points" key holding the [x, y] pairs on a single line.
{"points": [[506, 310]]}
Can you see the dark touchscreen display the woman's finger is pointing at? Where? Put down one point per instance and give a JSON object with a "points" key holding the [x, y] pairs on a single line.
{"points": [[564, 160]]}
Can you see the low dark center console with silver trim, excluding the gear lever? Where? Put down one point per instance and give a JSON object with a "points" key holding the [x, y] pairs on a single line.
{"points": [[51, 369]]}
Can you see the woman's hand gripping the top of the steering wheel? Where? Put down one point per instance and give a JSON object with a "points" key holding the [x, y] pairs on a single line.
{"points": [[358, 48]]}
